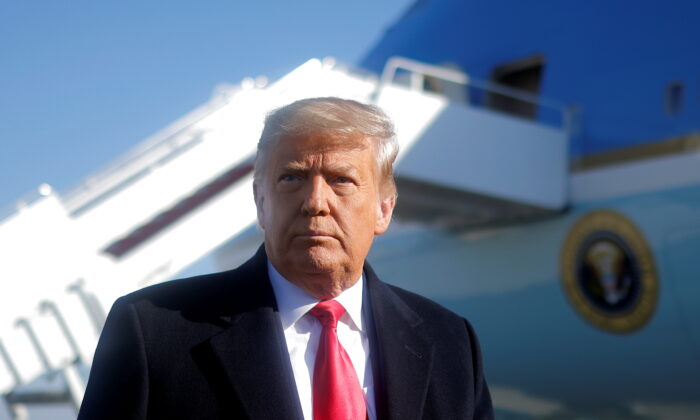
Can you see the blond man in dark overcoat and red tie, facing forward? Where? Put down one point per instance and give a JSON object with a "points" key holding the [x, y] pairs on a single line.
{"points": [[305, 329]]}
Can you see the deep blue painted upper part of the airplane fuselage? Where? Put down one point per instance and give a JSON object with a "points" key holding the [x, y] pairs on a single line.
{"points": [[613, 59]]}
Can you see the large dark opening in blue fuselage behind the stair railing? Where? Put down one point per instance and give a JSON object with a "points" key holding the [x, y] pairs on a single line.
{"points": [[524, 75]]}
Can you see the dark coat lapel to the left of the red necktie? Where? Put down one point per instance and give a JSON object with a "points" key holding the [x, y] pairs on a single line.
{"points": [[252, 351]]}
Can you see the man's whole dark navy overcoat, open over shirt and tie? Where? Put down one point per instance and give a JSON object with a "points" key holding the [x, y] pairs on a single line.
{"points": [[212, 347]]}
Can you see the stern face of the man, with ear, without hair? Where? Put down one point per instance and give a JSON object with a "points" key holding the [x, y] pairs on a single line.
{"points": [[319, 204]]}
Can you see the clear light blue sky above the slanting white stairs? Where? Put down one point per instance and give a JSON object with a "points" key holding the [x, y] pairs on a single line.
{"points": [[81, 82]]}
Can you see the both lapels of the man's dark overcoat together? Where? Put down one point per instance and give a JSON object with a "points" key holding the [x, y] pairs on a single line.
{"points": [[252, 350]]}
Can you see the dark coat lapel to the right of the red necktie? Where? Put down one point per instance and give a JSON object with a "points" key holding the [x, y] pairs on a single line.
{"points": [[401, 356]]}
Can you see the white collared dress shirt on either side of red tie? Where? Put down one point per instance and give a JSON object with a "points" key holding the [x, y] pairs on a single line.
{"points": [[302, 332]]}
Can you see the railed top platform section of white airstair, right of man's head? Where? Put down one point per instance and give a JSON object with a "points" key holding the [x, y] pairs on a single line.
{"points": [[464, 165]]}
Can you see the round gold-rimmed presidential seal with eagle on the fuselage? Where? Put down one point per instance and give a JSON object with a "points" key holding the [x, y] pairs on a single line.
{"points": [[608, 272]]}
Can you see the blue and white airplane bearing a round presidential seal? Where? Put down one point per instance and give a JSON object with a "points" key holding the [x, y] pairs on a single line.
{"points": [[591, 310]]}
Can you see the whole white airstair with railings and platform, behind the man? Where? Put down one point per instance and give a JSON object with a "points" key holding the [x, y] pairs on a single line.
{"points": [[187, 191]]}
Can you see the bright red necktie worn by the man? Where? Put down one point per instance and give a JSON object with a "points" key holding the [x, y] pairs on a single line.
{"points": [[337, 393]]}
